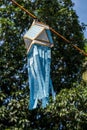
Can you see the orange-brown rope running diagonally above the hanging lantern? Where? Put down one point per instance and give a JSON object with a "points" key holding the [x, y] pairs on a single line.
{"points": [[66, 40]]}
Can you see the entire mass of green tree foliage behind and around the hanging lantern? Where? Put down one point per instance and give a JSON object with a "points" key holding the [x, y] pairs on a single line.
{"points": [[70, 107]]}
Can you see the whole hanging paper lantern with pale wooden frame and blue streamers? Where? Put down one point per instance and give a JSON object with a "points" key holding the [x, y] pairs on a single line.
{"points": [[38, 42]]}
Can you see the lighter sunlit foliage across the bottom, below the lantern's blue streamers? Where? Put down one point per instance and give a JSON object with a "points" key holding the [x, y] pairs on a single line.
{"points": [[69, 111]]}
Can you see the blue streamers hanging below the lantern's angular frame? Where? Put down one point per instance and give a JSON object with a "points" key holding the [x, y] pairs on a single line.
{"points": [[40, 84]]}
